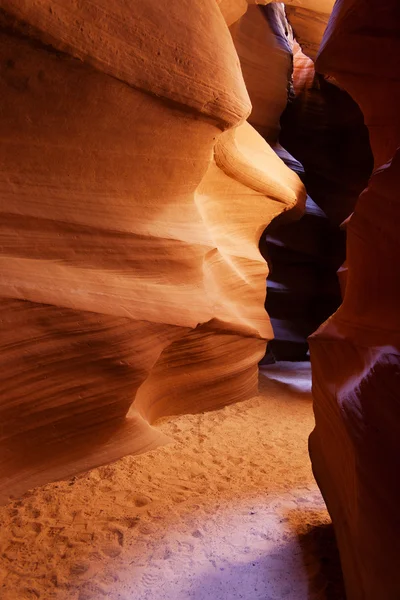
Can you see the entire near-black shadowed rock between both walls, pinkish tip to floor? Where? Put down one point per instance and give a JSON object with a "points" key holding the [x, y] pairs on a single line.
{"points": [[323, 128]]}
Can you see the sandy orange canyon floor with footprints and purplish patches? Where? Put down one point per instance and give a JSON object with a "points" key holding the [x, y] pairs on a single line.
{"points": [[229, 510]]}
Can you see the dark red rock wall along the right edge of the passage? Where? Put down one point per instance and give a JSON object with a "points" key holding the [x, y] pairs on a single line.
{"points": [[356, 354]]}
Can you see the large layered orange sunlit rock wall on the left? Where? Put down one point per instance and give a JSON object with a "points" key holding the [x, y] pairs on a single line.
{"points": [[133, 196]]}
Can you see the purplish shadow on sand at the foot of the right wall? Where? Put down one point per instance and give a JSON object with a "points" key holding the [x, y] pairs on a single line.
{"points": [[279, 574]]}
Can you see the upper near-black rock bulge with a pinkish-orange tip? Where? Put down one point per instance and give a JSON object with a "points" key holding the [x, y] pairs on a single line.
{"points": [[324, 129]]}
